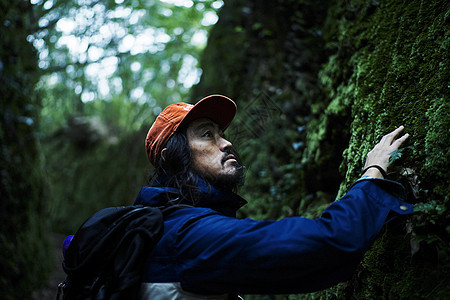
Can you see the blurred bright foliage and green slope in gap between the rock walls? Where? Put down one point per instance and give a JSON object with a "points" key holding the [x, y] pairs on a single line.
{"points": [[109, 67]]}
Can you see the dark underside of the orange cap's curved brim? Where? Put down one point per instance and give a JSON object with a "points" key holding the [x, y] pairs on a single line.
{"points": [[217, 108]]}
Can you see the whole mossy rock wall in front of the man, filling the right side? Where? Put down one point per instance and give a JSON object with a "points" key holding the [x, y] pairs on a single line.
{"points": [[318, 83]]}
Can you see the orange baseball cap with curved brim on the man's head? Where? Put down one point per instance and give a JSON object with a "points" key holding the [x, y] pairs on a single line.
{"points": [[218, 108]]}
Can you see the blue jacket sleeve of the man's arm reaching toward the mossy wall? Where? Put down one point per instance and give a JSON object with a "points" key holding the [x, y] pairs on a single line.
{"points": [[218, 254]]}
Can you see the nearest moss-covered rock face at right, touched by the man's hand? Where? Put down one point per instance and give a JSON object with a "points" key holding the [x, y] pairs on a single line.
{"points": [[396, 55]]}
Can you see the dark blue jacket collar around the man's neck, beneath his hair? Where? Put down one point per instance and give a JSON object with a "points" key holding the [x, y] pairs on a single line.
{"points": [[223, 201]]}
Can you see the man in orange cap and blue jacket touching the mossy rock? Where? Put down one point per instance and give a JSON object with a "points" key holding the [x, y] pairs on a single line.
{"points": [[206, 253]]}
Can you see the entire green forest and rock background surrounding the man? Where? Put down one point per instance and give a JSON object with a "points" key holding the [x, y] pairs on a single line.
{"points": [[317, 84]]}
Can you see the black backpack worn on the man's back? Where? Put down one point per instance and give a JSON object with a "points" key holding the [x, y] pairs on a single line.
{"points": [[106, 256]]}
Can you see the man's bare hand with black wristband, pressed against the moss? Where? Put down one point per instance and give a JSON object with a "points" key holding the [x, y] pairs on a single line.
{"points": [[379, 155]]}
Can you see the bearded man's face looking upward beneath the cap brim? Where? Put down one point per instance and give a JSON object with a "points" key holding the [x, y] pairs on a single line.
{"points": [[212, 155]]}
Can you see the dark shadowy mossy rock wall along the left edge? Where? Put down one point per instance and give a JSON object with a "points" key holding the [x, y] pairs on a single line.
{"points": [[25, 257]]}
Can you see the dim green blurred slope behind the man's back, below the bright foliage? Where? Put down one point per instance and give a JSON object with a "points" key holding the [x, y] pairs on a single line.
{"points": [[87, 178]]}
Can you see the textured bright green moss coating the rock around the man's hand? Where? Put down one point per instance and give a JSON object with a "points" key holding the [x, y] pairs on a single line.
{"points": [[398, 79]]}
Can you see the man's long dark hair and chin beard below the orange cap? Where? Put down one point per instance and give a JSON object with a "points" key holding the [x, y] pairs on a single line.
{"points": [[176, 171]]}
